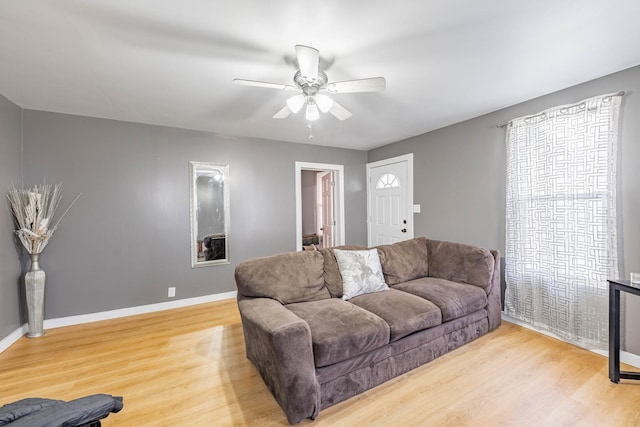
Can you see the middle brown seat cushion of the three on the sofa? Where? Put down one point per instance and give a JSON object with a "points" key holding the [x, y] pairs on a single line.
{"points": [[404, 313]]}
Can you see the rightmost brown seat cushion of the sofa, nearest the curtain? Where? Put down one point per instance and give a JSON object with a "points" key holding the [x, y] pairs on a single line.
{"points": [[452, 298]]}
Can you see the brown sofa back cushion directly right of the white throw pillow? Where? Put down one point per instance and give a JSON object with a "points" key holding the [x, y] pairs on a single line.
{"points": [[404, 261]]}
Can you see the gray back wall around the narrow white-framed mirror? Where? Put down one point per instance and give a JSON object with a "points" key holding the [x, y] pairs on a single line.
{"points": [[127, 238]]}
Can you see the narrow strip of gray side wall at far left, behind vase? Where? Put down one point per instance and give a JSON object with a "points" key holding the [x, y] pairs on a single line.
{"points": [[10, 252]]}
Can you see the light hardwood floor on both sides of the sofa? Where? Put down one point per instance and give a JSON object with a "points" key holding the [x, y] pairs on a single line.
{"points": [[186, 367]]}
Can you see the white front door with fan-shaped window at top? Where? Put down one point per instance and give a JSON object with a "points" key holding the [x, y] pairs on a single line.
{"points": [[390, 200]]}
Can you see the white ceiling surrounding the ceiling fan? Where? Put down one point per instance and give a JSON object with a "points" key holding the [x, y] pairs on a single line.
{"points": [[172, 63]]}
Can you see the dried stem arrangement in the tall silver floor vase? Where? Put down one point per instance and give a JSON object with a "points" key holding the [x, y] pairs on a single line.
{"points": [[33, 210]]}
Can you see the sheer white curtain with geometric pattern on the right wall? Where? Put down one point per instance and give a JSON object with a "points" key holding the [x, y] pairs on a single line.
{"points": [[561, 219]]}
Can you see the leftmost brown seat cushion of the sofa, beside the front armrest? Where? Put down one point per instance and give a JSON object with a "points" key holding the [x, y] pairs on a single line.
{"points": [[340, 330]]}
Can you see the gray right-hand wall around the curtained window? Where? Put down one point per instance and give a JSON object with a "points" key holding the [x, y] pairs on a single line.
{"points": [[459, 175]]}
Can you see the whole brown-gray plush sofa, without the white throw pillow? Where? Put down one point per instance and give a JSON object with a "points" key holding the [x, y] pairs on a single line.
{"points": [[314, 349]]}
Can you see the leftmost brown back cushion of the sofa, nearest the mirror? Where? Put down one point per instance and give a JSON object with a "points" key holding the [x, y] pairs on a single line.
{"points": [[288, 277]]}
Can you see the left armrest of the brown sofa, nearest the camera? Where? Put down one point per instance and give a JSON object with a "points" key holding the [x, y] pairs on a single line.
{"points": [[279, 344]]}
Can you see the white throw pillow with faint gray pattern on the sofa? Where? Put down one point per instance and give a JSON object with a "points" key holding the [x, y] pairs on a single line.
{"points": [[361, 272]]}
